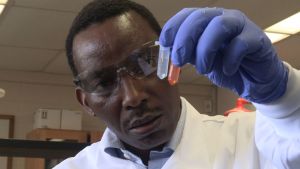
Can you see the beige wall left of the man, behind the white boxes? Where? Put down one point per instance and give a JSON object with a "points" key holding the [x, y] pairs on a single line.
{"points": [[26, 92]]}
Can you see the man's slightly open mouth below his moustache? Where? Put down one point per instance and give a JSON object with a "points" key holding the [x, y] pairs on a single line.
{"points": [[144, 125]]}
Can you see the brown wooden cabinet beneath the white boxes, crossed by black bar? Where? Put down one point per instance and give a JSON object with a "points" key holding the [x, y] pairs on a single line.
{"points": [[53, 135]]}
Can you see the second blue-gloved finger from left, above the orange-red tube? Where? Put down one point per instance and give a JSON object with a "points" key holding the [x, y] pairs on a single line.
{"points": [[188, 34]]}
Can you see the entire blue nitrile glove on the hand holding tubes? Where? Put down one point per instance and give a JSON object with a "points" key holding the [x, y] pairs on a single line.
{"points": [[229, 49]]}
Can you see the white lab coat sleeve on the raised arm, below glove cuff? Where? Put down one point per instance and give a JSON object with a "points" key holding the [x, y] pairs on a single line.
{"points": [[278, 126]]}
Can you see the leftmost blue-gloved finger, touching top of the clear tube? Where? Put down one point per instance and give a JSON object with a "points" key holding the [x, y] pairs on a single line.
{"points": [[169, 31]]}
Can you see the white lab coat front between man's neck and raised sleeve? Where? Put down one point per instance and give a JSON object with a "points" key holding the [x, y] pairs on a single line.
{"points": [[216, 142]]}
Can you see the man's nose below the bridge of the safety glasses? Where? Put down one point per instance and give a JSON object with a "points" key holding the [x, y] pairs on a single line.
{"points": [[134, 92]]}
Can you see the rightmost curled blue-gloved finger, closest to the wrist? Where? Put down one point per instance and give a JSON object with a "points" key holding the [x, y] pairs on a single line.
{"points": [[247, 42]]}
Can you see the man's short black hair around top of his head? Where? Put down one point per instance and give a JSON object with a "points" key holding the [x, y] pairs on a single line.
{"points": [[98, 11]]}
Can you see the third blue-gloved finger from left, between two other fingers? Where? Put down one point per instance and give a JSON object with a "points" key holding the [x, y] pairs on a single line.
{"points": [[215, 37]]}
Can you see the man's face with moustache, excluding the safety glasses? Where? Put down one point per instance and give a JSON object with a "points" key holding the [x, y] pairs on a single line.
{"points": [[143, 112]]}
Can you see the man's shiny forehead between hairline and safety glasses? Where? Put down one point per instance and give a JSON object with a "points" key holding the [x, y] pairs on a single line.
{"points": [[110, 42]]}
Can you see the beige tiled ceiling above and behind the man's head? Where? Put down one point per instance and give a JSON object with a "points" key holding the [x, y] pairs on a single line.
{"points": [[32, 32]]}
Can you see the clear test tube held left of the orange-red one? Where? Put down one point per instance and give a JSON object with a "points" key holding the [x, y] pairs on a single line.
{"points": [[163, 61]]}
